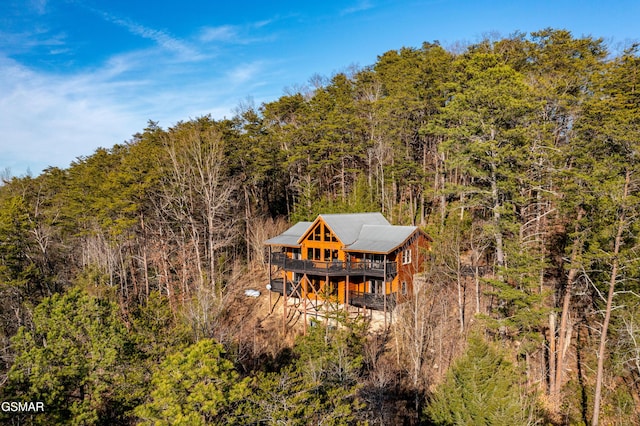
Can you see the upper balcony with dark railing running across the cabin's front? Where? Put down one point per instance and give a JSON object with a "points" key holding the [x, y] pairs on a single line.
{"points": [[335, 268]]}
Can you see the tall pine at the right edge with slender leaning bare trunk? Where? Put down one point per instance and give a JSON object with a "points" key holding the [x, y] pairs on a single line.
{"points": [[611, 129]]}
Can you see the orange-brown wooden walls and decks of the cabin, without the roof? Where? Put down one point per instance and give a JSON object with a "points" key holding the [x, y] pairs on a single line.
{"points": [[320, 268]]}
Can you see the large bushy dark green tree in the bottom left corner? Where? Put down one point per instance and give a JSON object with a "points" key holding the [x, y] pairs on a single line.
{"points": [[74, 359]]}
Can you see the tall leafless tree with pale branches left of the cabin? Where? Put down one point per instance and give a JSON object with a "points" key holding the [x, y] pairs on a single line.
{"points": [[199, 200]]}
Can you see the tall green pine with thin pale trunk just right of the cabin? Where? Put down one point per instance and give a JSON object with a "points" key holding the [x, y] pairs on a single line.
{"points": [[486, 125]]}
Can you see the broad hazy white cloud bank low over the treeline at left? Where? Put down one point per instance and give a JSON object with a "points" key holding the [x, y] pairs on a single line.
{"points": [[49, 119]]}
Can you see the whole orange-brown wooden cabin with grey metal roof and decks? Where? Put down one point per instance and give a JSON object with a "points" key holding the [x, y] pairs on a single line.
{"points": [[355, 259]]}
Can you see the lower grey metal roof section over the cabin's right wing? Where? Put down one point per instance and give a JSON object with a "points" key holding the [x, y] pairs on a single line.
{"points": [[381, 239]]}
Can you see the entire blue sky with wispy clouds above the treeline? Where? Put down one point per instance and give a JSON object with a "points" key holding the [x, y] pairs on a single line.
{"points": [[76, 75]]}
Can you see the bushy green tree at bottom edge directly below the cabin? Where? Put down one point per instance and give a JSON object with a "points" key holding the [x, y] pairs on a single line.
{"points": [[319, 387]]}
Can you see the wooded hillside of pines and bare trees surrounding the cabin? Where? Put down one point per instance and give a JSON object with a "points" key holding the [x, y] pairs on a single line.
{"points": [[122, 276]]}
